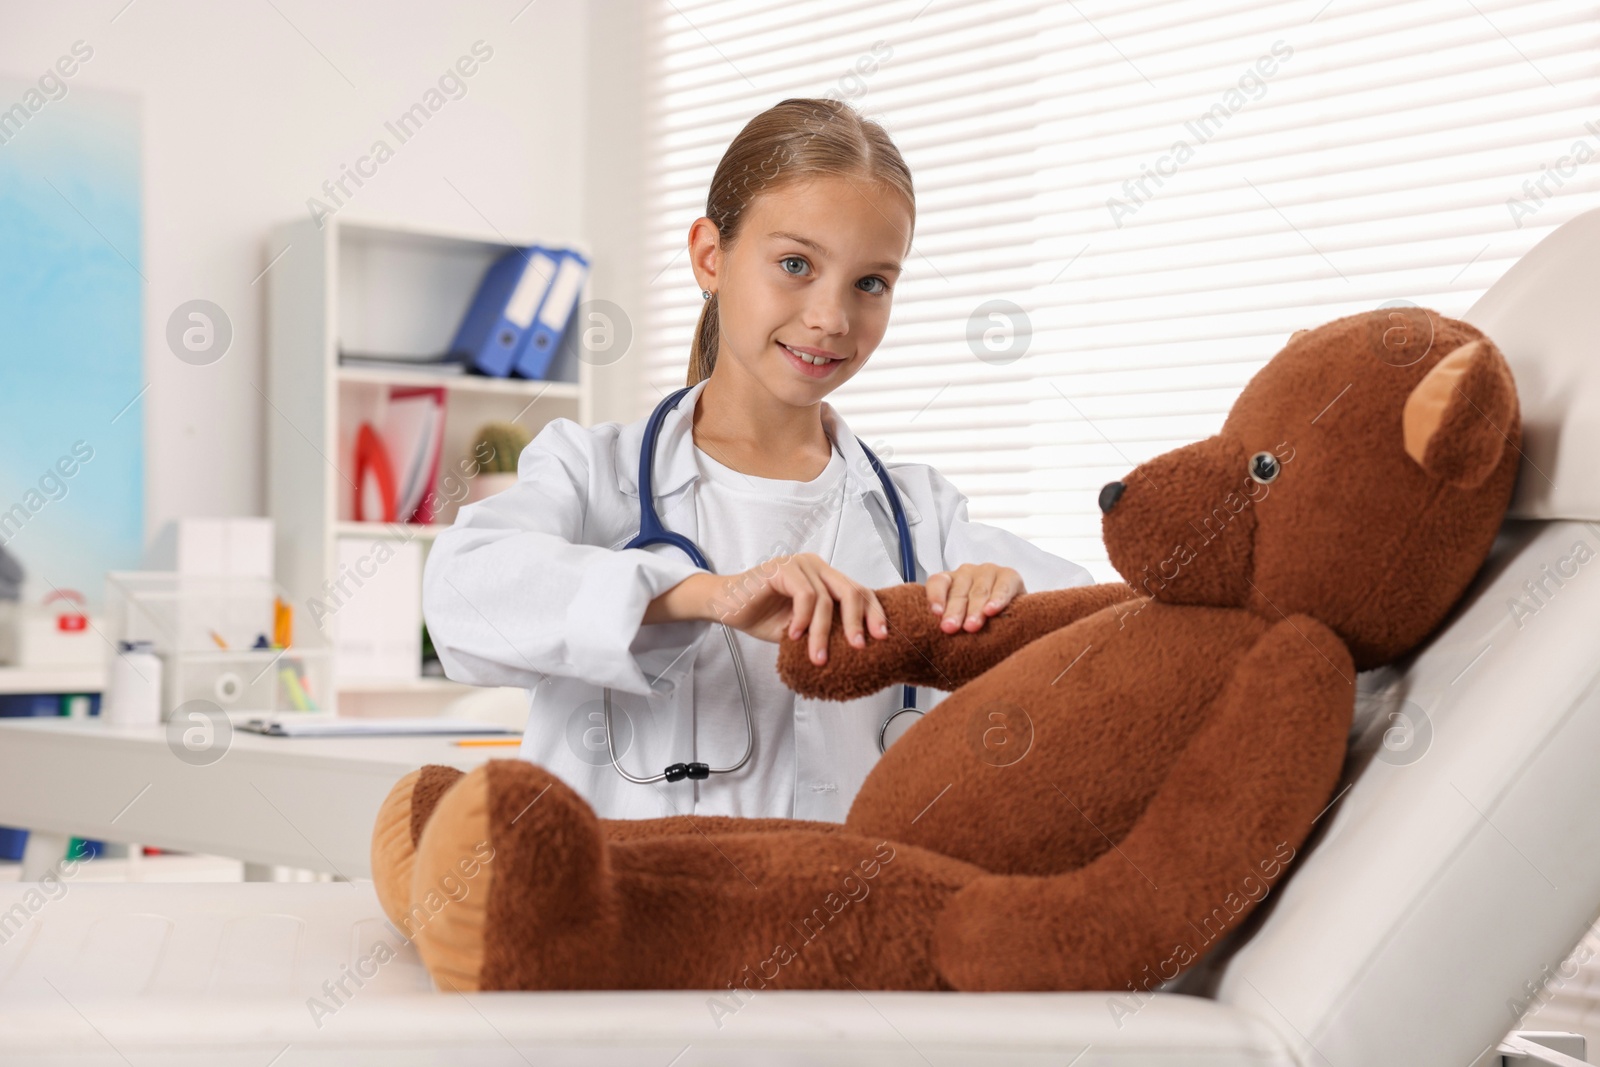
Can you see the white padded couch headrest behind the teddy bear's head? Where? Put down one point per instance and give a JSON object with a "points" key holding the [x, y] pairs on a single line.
{"points": [[1545, 316]]}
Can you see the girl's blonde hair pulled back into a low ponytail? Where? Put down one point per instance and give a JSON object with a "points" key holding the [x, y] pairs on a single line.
{"points": [[796, 140]]}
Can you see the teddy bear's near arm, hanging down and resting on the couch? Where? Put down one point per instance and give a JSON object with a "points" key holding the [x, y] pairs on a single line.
{"points": [[1214, 841]]}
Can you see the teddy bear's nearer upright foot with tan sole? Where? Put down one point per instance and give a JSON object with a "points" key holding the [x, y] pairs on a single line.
{"points": [[511, 887]]}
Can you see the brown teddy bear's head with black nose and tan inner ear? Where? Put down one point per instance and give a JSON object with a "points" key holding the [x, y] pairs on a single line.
{"points": [[1359, 479]]}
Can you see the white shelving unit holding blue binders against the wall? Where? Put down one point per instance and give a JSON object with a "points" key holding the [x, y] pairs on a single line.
{"points": [[377, 290]]}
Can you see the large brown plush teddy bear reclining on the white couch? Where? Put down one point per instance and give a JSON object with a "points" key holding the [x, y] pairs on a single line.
{"points": [[1121, 772]]}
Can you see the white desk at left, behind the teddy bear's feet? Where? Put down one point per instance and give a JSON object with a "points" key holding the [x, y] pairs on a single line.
{"points": [[298, 802]]}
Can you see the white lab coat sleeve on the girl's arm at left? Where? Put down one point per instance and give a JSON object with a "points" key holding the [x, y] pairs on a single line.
{"points": [[513, 594]]}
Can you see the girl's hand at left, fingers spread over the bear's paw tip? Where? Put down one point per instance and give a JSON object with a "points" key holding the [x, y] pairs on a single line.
{"points": [[791, 594]]}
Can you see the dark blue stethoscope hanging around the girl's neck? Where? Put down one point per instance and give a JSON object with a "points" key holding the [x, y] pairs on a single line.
{"points": [[652, 532]]}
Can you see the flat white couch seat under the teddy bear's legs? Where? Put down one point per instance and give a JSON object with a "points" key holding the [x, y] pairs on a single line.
{"points": [[223, 973]]}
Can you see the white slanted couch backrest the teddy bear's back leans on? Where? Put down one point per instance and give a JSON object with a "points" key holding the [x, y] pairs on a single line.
{"points": [[1436, 889]]}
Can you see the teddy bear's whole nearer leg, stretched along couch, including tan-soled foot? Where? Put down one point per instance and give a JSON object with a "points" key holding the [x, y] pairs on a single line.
{"points": [[518, 887]]}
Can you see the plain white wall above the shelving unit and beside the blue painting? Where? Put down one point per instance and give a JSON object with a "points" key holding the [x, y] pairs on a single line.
{"points": [[250, 105]]}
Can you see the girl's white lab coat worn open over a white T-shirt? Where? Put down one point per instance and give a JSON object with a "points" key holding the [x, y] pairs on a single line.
{"points": [[532, 588]]}
